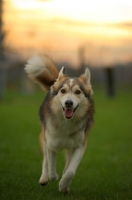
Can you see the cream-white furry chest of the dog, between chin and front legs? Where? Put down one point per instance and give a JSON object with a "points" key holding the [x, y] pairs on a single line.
{"points": [[67, 135]]}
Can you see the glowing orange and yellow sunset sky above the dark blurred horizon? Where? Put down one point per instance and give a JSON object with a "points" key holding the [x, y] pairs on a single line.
{"points": [[61, 28]]}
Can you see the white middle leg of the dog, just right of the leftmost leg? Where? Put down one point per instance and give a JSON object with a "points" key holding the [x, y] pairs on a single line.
{"points": [[52, 165]]}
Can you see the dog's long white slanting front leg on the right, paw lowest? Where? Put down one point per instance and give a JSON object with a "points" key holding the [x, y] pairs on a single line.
{"points": [[70, 171]]}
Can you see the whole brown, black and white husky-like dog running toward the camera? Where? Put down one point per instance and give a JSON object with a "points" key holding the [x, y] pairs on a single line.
{"points": [[66, 116]]}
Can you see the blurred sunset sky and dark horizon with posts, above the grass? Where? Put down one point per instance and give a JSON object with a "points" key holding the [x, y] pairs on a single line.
{"points": [[76, 34]]}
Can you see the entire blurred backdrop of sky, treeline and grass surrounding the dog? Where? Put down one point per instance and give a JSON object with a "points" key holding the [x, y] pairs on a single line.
{"points": [[76, 34]]}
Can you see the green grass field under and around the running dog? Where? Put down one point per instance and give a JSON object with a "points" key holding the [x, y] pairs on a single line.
{"points": [[105, 172]]}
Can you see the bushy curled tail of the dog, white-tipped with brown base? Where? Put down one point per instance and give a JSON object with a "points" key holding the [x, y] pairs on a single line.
{"points": [[42, 70]]}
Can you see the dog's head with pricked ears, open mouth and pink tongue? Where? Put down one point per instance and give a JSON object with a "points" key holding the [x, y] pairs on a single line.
{"points": [[72, 93]]}
